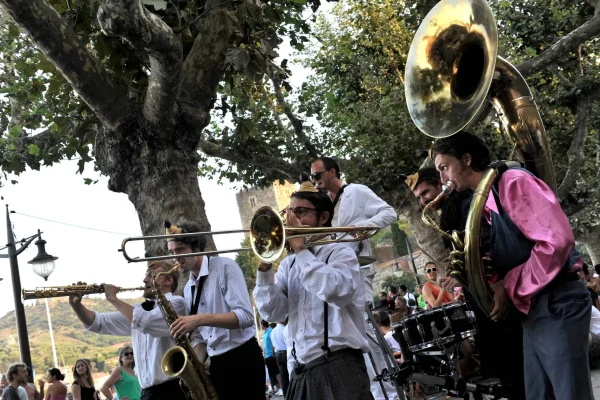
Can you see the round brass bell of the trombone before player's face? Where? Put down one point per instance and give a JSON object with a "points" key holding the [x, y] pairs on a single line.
{"points": [[267, 234]]}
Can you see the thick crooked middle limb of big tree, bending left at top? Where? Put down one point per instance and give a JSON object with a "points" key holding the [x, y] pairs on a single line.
{"points": [[129, 19]]}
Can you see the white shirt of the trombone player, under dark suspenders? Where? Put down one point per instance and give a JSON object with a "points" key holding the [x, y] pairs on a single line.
{"points": [[299, 290]]}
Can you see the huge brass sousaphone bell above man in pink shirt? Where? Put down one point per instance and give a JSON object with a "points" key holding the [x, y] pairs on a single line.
{"points": [[450, 66]]}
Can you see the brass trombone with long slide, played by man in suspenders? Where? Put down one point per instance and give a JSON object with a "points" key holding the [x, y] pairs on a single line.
{"points": [[268, 237]]}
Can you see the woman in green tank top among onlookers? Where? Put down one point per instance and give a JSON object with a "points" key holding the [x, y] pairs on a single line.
{"points": [[123, 378]]}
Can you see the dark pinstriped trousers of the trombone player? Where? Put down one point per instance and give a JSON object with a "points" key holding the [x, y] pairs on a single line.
{"points": [[339, 376]]}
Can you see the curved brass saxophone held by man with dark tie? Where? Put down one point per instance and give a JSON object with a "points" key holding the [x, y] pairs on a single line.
{"points": [[181, 361]]}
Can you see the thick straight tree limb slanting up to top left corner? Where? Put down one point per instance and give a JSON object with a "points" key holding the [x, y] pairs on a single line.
{"points": [[61, 45]]}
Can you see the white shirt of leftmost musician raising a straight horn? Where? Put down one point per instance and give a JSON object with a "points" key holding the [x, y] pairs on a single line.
{"points": [[150, 337]]}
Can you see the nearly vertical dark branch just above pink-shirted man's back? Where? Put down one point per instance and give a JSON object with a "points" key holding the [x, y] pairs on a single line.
{"points": [[576, 154]]}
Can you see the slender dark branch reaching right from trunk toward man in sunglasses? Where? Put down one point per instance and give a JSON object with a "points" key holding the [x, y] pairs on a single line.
{"points": [[288, 170]]}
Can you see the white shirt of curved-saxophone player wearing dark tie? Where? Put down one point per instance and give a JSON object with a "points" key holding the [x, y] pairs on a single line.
{"points": [[223, 291]]}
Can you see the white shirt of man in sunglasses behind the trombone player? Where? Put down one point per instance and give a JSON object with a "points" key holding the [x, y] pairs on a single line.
{"points": [[359, 206]]}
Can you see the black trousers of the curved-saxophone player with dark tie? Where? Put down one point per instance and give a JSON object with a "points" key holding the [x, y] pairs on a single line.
{"points": [[239, 373]]}
